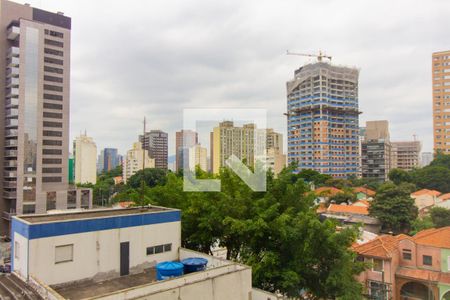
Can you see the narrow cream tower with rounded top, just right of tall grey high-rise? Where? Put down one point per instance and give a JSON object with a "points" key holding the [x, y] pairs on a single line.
{"points": [[85, 154]]}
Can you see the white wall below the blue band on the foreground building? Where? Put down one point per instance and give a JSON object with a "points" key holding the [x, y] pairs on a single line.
{"points": [[97, 254]]}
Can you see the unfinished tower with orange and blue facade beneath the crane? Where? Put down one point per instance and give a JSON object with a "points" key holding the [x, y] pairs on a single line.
{"points": [[323, 117]]}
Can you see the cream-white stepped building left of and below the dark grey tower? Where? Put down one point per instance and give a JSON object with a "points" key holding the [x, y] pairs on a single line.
{"points": [[135, 160]]}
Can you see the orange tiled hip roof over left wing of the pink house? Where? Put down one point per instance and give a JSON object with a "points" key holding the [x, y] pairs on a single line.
{"points": [[383, 246]]}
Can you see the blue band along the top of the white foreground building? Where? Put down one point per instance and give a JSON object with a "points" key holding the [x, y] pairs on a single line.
{"points": [[36, 231]]}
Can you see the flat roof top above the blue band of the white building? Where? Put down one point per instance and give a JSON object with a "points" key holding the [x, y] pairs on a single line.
{"points": [[92, 214]]}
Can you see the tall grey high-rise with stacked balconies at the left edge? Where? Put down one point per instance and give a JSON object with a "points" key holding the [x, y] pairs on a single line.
{"points": [[34, 101]]}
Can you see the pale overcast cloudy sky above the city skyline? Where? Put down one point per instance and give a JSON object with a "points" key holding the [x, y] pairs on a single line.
{"points": [[155, 58]]}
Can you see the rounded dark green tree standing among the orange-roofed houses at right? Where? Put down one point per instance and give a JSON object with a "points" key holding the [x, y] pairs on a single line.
{"points": [[394, 207]]}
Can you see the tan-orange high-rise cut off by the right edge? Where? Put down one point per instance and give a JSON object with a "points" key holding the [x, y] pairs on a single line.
{"points": [[441, 101]]}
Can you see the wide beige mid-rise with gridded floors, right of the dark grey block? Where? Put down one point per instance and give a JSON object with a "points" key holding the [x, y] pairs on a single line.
{"points": [[406, 155]]}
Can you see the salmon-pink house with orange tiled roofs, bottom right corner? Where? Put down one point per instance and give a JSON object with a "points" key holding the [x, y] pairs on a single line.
{"points": [[404, 267]]}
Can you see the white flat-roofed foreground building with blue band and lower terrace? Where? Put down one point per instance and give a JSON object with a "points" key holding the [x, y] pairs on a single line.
{"points": [[112, 254]]}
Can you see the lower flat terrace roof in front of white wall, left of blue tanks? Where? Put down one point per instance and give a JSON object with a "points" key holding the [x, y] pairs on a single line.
{"points": [[90, 288]]}
